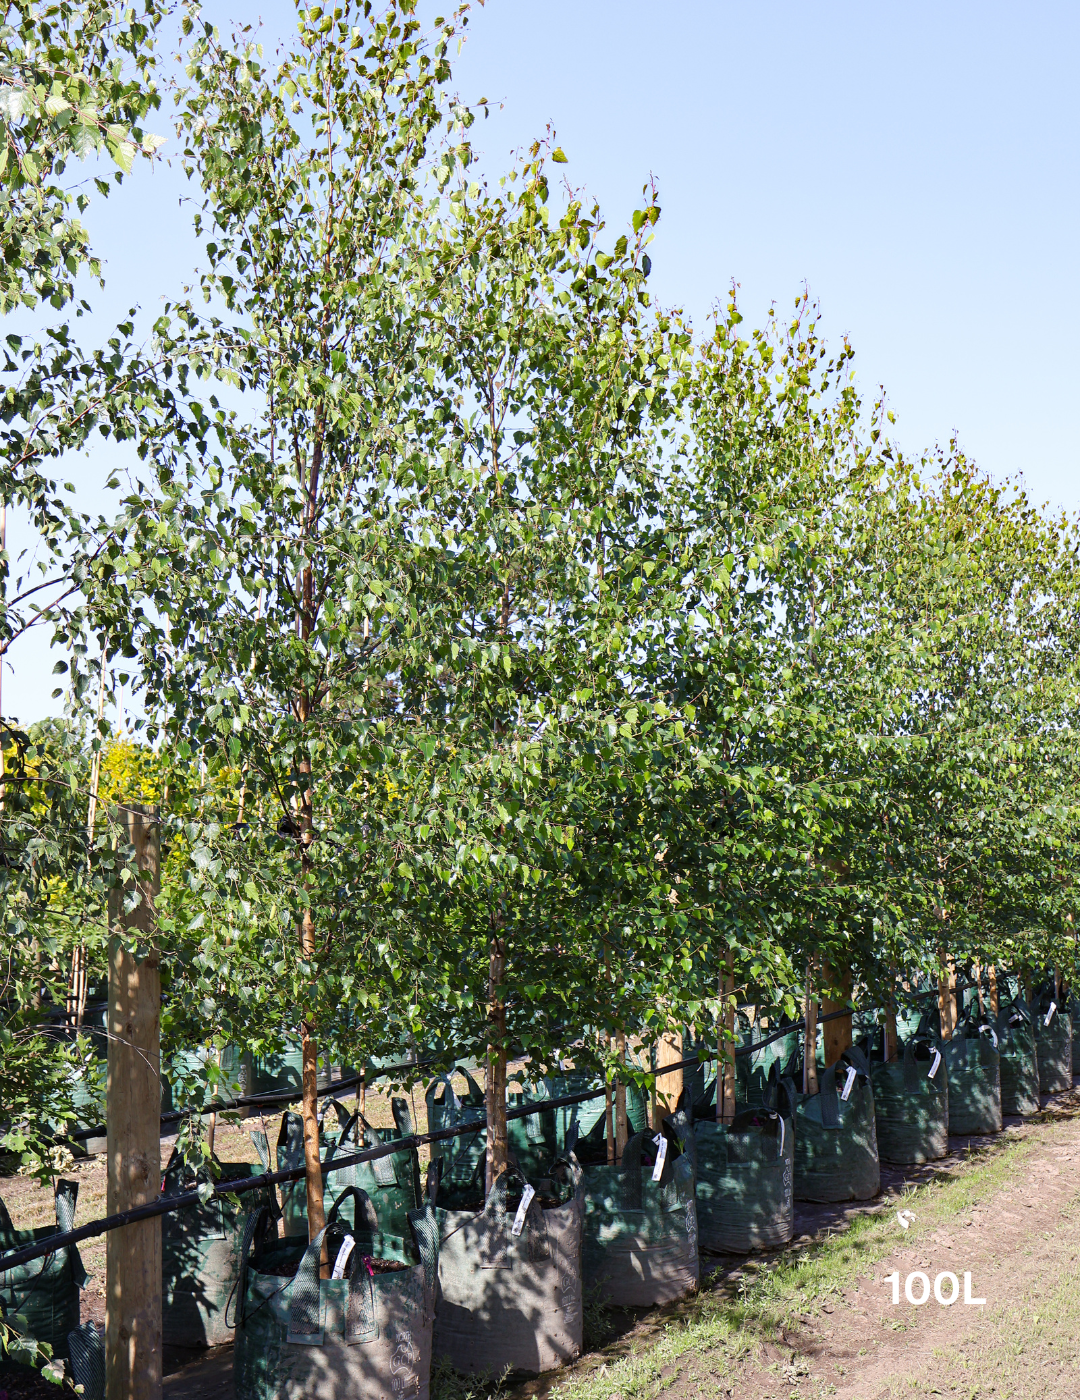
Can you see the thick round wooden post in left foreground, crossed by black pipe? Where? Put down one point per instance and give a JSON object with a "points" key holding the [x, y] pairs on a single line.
{"points": [[134, 1115]]}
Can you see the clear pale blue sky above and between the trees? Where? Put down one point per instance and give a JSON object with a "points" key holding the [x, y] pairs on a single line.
{"points": [[915, 164]]}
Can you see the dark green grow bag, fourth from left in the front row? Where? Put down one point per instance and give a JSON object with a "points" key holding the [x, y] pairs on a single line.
{"points": [[746, 1178]]}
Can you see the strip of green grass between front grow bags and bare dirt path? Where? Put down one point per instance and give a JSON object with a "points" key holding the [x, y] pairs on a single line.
{"points": [[795, 1286]]}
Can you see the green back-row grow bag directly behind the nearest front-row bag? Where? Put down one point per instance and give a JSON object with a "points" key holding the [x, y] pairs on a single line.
{"points": [[393, 1182]]}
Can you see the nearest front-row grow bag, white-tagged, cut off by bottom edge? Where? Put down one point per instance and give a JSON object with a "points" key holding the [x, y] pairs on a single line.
{"points": [[361, 1336]]}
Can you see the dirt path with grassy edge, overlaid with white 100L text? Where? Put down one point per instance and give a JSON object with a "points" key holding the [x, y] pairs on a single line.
{"points": [[1012, 1223]]}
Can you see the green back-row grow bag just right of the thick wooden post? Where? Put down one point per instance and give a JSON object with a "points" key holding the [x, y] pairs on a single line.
{"points": [[201, 1254]]}
